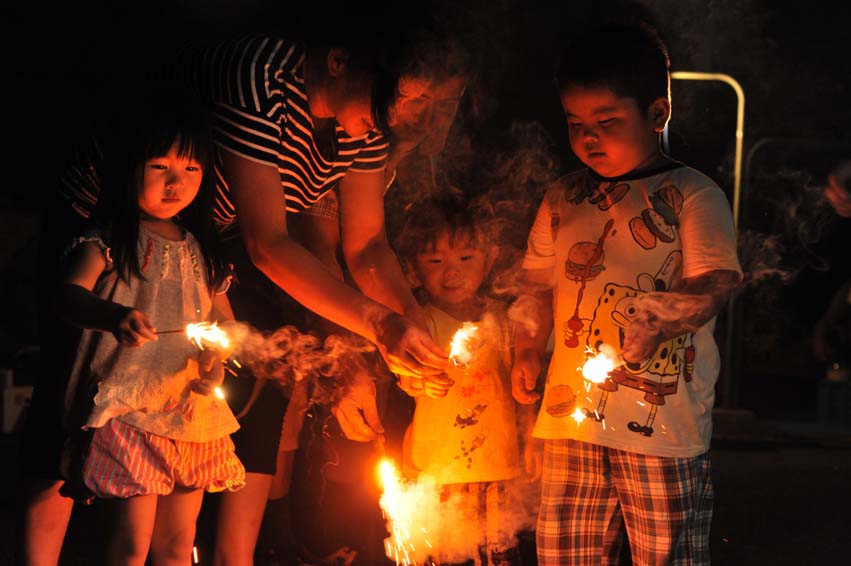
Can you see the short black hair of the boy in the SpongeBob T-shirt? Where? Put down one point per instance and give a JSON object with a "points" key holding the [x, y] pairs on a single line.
{"points": [[630, 59]]}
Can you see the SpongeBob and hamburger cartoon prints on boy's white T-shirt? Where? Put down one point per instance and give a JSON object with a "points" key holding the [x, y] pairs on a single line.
{"points": [[615, 307]]}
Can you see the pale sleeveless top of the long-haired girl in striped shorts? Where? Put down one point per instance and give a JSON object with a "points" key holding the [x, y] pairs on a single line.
{"points": [[148, 387]]}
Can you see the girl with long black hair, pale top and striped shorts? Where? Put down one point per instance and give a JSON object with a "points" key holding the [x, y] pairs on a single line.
{"points": [[150, 261]]}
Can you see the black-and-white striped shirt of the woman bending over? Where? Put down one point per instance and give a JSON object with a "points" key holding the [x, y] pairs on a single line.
{"points": [[260, 113]]}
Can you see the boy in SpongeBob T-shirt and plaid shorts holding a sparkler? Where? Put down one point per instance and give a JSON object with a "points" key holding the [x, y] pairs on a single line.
{"points": [[635, 255]]}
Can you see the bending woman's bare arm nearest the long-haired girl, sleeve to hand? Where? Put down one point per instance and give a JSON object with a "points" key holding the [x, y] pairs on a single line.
{"points": [[261, 207]]}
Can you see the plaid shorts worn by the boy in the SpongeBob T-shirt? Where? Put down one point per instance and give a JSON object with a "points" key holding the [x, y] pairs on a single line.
{"points": [[590, 492]]}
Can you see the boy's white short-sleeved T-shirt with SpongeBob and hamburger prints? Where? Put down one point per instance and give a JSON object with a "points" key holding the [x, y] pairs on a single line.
{"points": [[608, 242]]}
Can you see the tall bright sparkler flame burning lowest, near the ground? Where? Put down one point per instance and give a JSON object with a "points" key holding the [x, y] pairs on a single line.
{"points": [[408, 544]]}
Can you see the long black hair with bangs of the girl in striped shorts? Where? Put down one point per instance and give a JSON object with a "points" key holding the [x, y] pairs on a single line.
{"points": [[141, 131]]}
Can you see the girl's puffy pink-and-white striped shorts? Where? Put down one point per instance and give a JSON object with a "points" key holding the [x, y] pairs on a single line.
{"points": [[125, 461]]}
